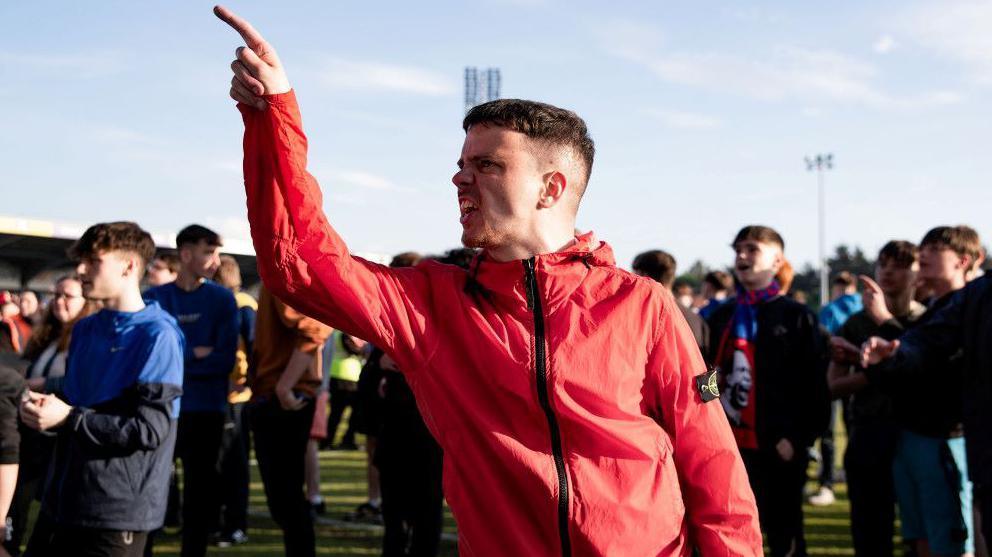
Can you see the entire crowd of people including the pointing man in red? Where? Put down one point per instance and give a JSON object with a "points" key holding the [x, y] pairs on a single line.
{"points": [[582, 409]]}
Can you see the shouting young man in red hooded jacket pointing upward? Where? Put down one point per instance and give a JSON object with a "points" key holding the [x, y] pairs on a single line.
{"points": [[584, 418]]}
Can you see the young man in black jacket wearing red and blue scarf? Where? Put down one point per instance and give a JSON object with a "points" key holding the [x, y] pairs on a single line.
{"points": [[769, 354]]}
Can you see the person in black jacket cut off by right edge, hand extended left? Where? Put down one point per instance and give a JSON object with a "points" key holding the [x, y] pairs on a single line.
{"points": [[963, 325]]}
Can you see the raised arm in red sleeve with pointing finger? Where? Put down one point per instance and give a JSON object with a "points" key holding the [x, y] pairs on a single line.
{"points": [[301, 259]]}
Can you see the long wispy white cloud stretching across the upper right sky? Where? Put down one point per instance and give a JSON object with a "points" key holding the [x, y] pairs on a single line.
{"points": [[785, 73]]}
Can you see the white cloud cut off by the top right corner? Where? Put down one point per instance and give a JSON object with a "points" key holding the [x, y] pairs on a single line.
{"points": [[955, 29]]}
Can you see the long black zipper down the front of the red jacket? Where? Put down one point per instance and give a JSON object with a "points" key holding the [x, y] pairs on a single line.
{"points": [[541, 370]]}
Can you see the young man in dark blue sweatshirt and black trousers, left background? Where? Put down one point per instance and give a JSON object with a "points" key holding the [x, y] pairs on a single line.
{"points": [[208, 316]]}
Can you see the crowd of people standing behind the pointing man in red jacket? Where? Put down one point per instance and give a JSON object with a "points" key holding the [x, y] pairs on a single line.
{"points": [[262, 375]]}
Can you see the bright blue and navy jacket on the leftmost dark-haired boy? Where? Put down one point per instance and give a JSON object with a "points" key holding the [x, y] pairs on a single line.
{"points": [[113, 455]]}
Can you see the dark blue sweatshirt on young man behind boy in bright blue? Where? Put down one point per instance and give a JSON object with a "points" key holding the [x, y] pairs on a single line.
{"points": [[208, 316]]}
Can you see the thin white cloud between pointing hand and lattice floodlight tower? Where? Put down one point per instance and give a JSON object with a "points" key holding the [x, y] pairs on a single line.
{"points": [[375, 76]]}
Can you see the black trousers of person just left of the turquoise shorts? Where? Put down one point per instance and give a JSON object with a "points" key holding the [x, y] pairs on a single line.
{"points": [[868, 465]]}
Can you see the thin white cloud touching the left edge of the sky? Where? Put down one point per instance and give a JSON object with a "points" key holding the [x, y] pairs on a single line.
{"points": [[77, 65]]}
